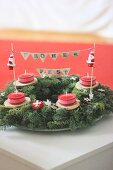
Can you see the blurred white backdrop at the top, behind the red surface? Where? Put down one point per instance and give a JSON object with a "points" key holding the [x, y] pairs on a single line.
{"points": [[95, 16]]}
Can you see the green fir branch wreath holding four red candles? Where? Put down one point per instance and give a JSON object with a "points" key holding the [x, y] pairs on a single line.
{"points": [[51, 117]]}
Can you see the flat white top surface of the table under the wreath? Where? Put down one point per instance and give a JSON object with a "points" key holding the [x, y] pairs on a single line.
{"points": [[57, 150]]}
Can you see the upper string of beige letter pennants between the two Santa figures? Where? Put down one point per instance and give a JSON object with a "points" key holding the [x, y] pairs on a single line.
{"points": [[53, 55]]}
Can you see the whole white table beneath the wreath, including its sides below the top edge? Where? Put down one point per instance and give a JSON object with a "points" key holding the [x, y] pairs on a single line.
{"points": [[88, 149]]}
